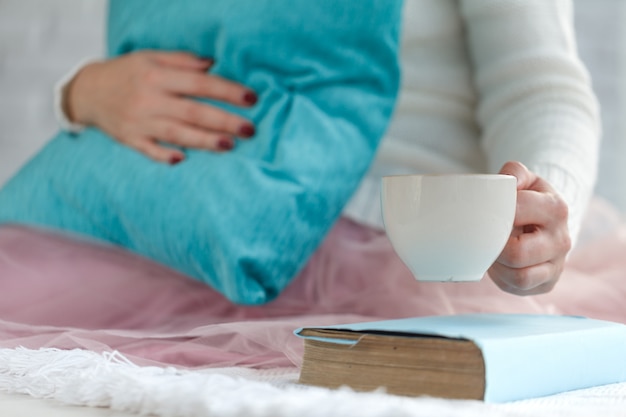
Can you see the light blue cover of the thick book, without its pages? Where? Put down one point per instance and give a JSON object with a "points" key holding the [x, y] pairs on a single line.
{"points": [[525, 356]]}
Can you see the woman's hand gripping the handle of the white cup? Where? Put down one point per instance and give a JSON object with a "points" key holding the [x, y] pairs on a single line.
{"points": [[534, 257]]}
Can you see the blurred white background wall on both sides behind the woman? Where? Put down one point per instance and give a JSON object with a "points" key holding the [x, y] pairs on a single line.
{"points": [[40, 40]]}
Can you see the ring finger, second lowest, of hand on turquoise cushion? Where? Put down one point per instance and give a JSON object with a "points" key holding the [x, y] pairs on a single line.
{"points": [[187, 136]]}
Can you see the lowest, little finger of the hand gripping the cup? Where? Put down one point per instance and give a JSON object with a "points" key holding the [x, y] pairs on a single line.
{"points": [[532, 280]]}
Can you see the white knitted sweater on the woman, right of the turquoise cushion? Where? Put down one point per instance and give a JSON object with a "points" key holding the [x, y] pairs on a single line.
{"points": [[485, 82]]}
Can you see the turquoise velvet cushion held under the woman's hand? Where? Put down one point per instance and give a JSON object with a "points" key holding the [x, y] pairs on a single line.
{"points": [[244, 222]]}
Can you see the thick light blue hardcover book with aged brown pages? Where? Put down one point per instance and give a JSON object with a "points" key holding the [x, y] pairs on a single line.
{"points": [[490, 357]]}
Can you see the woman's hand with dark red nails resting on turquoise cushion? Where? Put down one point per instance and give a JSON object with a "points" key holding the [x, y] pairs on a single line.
{"points": [[144, 98]]}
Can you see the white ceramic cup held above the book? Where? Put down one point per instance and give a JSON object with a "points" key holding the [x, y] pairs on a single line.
{"points": [[448, 227]]}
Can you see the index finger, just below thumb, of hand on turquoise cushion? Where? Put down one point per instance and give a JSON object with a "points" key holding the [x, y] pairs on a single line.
{"points": [[209, 86]]}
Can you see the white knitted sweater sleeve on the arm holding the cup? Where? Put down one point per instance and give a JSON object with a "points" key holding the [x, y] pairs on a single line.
{"points": [[536, 105]]}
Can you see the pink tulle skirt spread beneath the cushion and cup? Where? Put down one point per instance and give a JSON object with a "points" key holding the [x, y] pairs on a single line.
{"points": [[57, 291]]}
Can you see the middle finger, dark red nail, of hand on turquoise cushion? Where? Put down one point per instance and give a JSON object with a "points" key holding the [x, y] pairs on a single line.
{"points": [[207, 117]]}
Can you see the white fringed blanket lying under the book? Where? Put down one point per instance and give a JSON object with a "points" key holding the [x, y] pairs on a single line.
{"points": [[86, 378]]}
